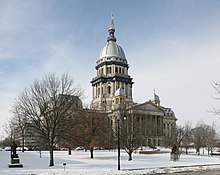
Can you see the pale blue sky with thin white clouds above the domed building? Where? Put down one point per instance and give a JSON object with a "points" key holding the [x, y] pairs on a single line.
{"points": [[171, 46]]}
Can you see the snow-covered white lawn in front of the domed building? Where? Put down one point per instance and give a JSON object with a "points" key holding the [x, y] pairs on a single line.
{"points": [[104, 163]]}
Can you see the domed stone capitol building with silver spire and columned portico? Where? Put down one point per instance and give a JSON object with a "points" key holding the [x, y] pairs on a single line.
{"points": [[112, 94]]}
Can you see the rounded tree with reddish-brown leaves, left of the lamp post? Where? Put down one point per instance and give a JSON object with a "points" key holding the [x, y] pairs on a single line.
{"points": [[91, 130]]}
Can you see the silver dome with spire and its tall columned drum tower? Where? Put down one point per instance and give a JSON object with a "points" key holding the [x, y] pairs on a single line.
{"points": [[112, 85]]}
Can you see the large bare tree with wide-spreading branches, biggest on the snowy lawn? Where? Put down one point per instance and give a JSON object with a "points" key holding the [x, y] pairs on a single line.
{"points": [[49, 105]]}
